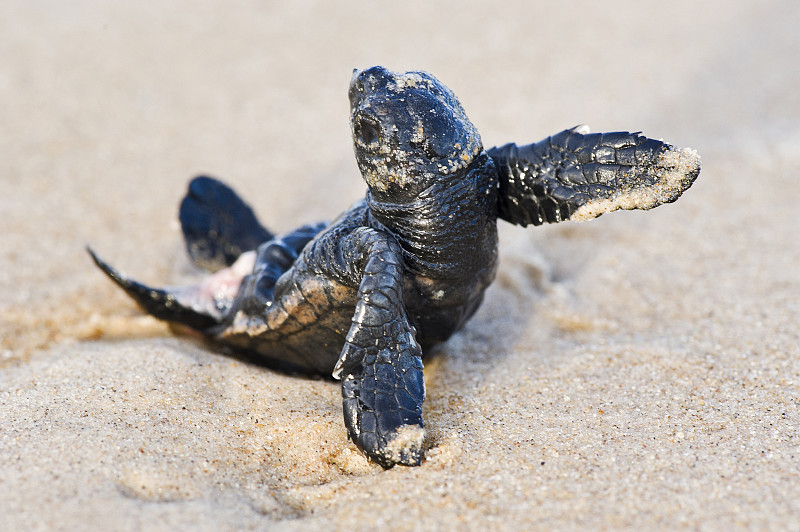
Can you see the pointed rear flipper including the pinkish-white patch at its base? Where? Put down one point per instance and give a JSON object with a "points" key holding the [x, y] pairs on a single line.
{"points": [[200, 307]]}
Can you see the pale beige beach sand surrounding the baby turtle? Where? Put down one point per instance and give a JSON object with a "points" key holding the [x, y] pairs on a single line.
{"points": [[641, 371]]}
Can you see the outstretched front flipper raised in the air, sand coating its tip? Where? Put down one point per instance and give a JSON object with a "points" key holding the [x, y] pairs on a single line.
{"points": [[575, 175]]}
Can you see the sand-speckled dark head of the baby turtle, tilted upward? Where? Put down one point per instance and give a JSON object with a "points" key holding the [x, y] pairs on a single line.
{"points": [[409, 131]]}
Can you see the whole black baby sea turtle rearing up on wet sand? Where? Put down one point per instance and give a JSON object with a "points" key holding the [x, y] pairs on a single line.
{"points": [[363, 297]]}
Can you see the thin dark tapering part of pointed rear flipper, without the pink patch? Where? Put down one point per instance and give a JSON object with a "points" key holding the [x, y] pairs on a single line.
{"points": [[161, 303]]}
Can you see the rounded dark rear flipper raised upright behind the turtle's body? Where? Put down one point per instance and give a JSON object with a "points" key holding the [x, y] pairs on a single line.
{"points": [[217, 224]]}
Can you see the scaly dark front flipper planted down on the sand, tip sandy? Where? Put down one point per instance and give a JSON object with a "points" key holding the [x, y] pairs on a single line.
{"points": [[381, 365]]}
